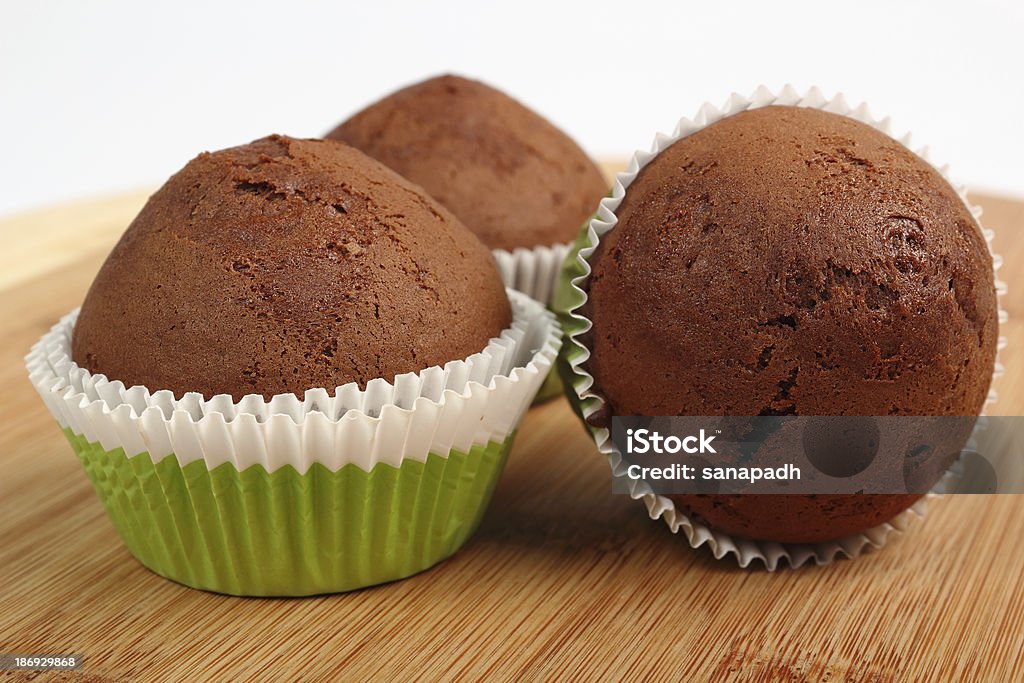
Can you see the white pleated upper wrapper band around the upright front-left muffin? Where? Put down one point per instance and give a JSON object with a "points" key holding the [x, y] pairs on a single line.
{"points": [[466, 403]]}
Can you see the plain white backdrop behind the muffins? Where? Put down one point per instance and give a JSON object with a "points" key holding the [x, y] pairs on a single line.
{"points": [[103, 97]]}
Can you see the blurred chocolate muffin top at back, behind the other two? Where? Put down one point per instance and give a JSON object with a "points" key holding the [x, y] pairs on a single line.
{"points": [[510, 176]]}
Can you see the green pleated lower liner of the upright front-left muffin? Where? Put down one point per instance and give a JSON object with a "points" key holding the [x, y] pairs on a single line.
{"points": [[284, 534]]}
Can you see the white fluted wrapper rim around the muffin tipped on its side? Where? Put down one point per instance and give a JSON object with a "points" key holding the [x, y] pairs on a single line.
{"points": [[745, 551]]}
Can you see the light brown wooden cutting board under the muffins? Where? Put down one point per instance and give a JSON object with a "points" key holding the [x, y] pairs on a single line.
{"points": [[564, 580]]}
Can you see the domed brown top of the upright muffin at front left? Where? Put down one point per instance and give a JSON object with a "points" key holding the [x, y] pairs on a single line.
{"points": [[284, 266]]}
